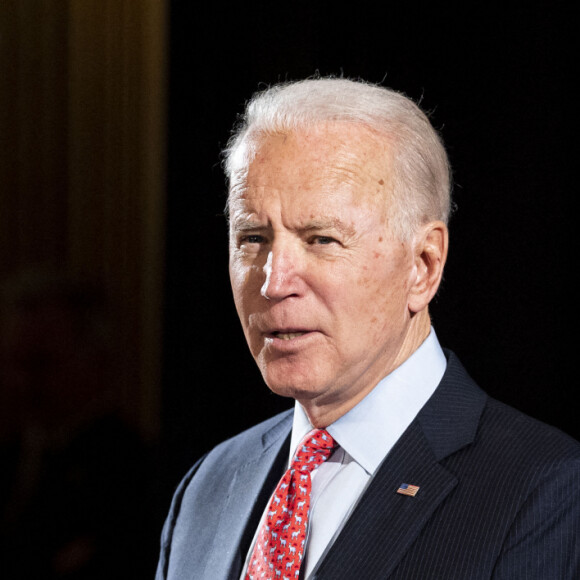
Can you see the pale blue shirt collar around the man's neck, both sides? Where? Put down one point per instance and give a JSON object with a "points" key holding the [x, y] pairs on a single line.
{"points": [[384, 414]]}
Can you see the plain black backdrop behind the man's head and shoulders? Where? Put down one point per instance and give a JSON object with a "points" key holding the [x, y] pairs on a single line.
{"points": [[499, 84]]}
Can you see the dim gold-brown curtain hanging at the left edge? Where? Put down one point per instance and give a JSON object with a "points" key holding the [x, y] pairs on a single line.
{"points": [[82, 162]]}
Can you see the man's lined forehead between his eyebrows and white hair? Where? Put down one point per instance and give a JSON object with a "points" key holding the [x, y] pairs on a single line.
{"points": [[329, 160]]}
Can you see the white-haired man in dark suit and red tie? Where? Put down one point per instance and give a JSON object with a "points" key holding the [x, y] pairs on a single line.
{"points": [[393, 463]]}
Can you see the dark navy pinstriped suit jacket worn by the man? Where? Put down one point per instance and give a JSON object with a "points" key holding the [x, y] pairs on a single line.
{"points": [[499, 498]]}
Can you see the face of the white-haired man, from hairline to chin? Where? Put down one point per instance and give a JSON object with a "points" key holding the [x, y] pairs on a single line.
{"points": [[320, 285]]}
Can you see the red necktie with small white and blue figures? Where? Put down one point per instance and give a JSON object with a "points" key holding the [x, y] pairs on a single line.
{"points": [[279, 548]]}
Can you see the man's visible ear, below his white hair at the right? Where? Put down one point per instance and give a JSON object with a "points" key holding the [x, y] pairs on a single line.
{"points": [[430, 253]]}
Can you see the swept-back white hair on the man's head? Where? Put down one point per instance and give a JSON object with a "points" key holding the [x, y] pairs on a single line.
{"points": [[421, 173]]}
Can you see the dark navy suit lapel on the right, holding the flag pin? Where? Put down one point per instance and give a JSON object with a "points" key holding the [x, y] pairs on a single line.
{"points": [[384, 523]]}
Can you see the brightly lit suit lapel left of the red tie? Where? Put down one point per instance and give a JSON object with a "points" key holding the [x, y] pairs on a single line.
{"points": [[249, 491]]}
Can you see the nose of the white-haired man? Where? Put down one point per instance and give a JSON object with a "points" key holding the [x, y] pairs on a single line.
{"points": [[282, 273]]}
